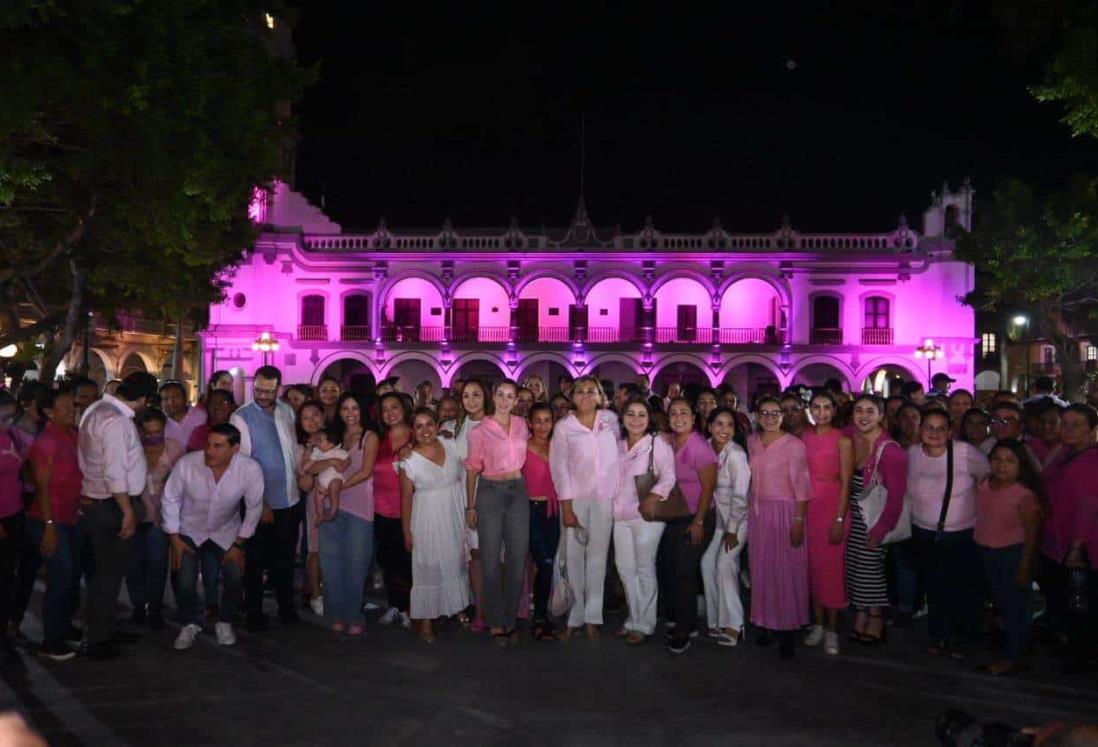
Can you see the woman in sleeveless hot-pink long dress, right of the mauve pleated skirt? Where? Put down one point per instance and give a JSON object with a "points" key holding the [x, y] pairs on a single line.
{"points": [[831, 466]]}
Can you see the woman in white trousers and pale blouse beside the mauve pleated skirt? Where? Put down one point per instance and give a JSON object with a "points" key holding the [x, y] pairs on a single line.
{"points": [[721, 565]]}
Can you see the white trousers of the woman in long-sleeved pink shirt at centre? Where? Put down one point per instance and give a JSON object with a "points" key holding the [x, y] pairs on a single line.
{"points": [[587, 564]]}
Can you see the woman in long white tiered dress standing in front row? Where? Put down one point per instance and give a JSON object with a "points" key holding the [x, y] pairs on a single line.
{"points": [[432, 500]]}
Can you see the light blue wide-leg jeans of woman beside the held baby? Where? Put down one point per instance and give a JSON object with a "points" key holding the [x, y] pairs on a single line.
{"points": [[346, 549]]}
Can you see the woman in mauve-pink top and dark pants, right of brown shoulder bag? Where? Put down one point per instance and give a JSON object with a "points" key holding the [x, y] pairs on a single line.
{"points": [[687, 539]]}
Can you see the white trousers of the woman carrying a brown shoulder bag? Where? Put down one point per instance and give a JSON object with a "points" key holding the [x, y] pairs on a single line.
{"points": [[636, 543]]}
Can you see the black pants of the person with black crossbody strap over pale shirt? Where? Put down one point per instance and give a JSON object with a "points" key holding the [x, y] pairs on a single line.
{"points": [[955, 579]]}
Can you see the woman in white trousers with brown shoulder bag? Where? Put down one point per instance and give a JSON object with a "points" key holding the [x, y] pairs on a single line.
{"points": [[637, 541]]}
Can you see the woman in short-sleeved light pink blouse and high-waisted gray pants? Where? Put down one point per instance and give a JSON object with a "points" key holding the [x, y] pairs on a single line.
{"points": [[499, 508]]}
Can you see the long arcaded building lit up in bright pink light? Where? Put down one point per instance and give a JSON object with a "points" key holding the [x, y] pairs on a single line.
{"points": [[758, 310]]}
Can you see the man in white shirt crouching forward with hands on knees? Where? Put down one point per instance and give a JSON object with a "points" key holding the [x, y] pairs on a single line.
{"points": [[203, 519]]}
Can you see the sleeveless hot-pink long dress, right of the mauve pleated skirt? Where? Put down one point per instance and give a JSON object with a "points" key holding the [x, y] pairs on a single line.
{"points": [[827, 563]]}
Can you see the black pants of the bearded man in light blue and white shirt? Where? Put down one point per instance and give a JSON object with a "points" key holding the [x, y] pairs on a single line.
{"points": [[272, 549]]}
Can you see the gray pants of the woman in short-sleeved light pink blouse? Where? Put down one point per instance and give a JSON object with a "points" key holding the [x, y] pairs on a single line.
{"points": [[503, 521]]}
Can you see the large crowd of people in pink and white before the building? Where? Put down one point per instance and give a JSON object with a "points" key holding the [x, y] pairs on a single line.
{"points": [[512, 511]]}
